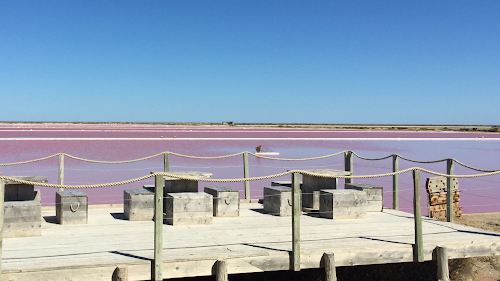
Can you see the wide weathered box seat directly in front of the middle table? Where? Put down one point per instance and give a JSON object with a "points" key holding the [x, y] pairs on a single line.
{"points": [[188, 208]]}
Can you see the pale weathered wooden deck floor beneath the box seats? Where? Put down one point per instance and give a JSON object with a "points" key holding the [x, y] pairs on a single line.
{"points": [[253, 242]]}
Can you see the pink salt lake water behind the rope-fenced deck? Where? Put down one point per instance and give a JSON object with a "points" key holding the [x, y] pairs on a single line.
{"points": [[19, 142]]}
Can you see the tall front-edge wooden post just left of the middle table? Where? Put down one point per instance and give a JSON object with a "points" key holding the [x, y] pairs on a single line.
{"points": [[158, 256]]}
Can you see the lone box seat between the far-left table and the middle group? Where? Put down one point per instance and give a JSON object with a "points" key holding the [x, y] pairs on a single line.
{"points": [[72, 207]]}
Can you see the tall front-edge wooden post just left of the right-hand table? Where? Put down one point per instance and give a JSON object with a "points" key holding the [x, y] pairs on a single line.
{"points": [[296, 210]]}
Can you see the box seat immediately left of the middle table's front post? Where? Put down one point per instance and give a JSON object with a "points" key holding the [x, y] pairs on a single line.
{"points": [[138, 204]]}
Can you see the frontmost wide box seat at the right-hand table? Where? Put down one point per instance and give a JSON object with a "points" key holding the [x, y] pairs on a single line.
{"points": [[342, 204]]}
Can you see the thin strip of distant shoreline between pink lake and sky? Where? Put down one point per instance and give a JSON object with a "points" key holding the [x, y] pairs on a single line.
{"points": [[376, 127]]}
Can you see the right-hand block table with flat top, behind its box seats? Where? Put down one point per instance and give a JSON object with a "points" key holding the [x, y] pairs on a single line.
{"points": [[313, 184]]}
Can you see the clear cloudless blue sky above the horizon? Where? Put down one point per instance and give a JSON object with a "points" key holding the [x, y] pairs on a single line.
{"points": [[402, 62]]}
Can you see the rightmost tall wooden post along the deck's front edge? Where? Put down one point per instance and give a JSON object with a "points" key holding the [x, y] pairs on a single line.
{"points": [[418, 251]]}
